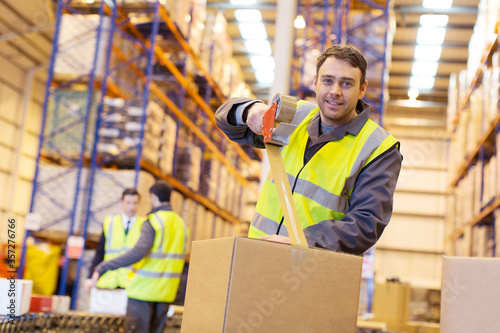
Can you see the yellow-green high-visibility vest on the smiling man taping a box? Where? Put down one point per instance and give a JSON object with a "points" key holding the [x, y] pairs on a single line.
{"points": [[322, 188]]}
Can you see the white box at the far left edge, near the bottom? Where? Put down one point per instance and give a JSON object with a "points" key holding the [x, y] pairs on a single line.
{"points": [[16, 296]]}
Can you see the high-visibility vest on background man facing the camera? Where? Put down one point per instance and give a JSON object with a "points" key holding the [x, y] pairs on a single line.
{"points": [[117, 243]]}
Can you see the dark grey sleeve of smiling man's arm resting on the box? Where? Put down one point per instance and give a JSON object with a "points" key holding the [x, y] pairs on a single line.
{"points": [[369, 212]]}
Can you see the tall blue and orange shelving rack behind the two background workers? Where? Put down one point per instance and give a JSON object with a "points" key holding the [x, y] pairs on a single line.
{"points": [[87, 160]]}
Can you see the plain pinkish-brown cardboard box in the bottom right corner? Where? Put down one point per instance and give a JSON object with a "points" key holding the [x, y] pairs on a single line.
{"points": [[470, 295]]}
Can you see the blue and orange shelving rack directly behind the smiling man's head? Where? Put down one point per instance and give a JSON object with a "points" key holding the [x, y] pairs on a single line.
{"points": [[331, 22]]}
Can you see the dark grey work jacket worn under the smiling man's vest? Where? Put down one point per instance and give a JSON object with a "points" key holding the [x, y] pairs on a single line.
{"points": [[372, 198]]}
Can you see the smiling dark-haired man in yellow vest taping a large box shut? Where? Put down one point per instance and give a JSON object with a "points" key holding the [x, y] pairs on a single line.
{"points": [[342, 166]]}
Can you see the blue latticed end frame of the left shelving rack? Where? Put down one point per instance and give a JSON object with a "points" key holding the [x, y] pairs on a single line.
{"points": [[73, 114]]}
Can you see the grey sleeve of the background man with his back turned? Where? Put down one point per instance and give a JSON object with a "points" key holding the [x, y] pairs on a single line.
{"points": [[139, 251]]}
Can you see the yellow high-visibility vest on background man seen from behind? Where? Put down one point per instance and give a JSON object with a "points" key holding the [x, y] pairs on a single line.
{"points": [[156, 277]]}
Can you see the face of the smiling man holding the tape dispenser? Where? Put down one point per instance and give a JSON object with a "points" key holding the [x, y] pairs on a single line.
{"points": [[338, 89]]}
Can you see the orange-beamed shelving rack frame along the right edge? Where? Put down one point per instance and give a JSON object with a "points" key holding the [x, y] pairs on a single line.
{"points": [[483, 148]]}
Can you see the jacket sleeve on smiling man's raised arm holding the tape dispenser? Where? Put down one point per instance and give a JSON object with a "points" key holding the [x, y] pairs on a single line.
{"points": [[229, 119]]}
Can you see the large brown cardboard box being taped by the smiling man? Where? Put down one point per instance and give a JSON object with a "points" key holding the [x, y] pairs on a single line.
{"points": [[247, 285]]}
